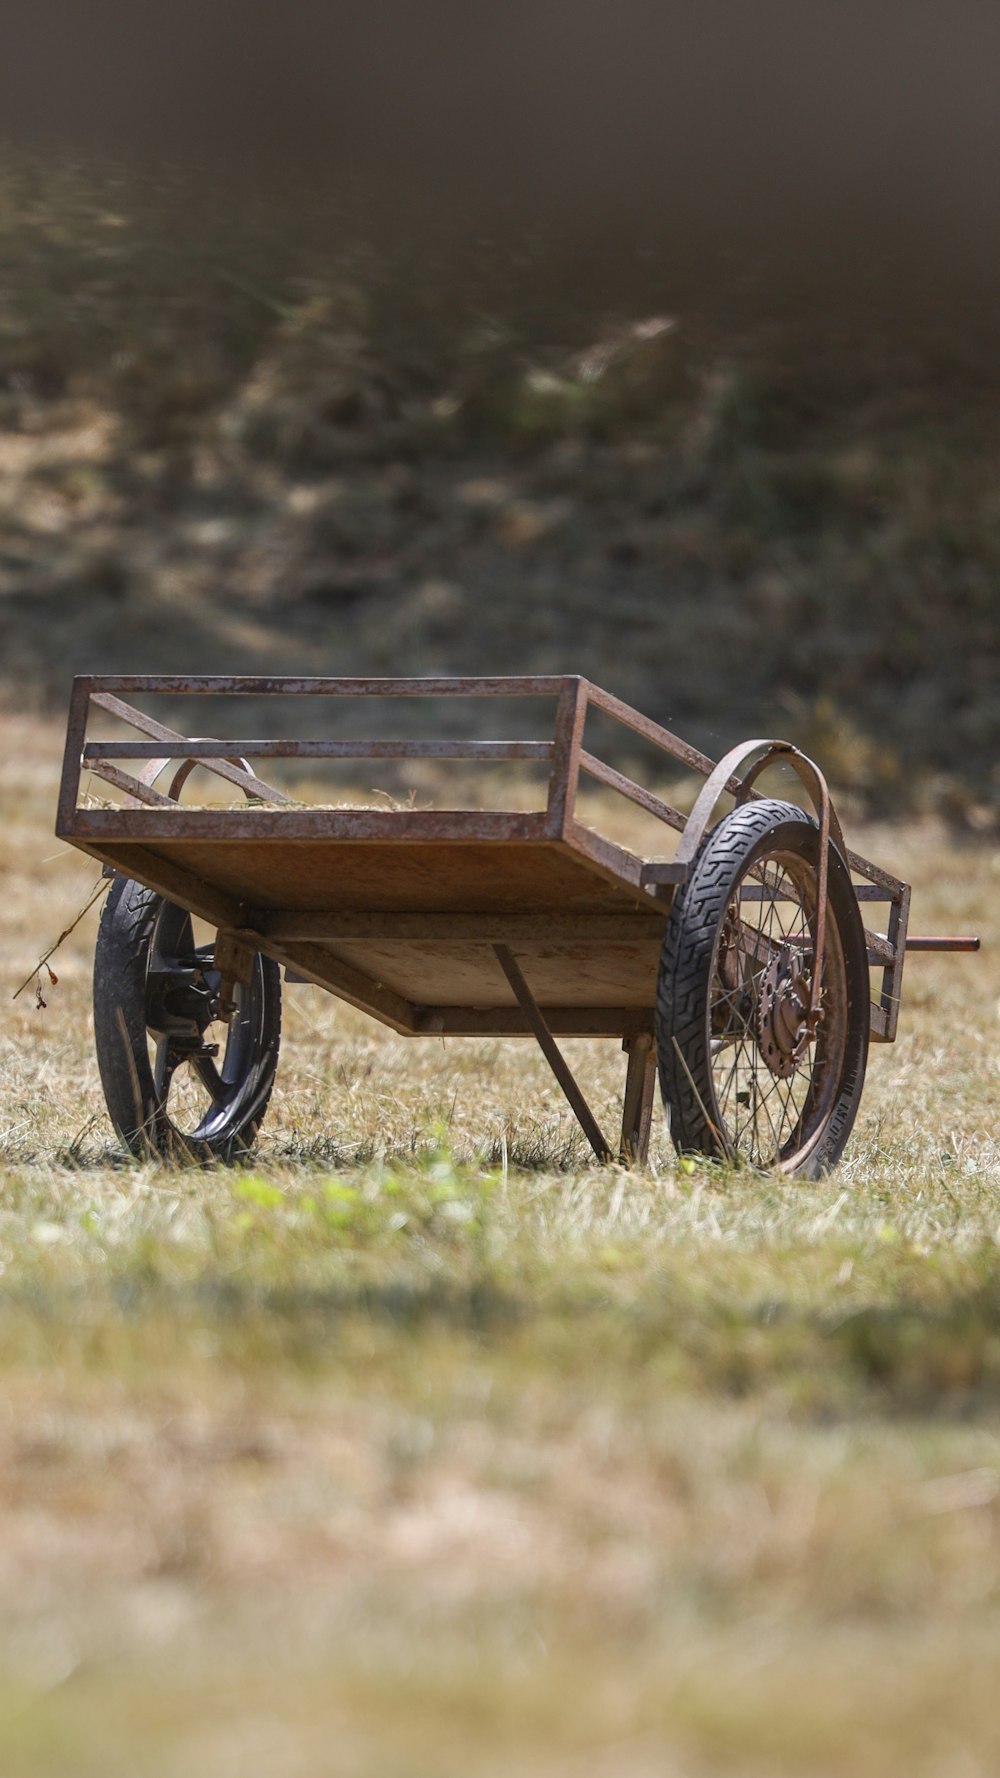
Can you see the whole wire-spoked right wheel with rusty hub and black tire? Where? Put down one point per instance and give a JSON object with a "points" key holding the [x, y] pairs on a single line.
{"points": [[752, 1066]]}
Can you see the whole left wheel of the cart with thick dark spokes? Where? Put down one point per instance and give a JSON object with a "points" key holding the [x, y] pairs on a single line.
{"points": [[184, 1073]]}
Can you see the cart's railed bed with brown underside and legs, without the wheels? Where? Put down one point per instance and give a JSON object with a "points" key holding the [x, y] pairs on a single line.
{"points": [[456, 920]]}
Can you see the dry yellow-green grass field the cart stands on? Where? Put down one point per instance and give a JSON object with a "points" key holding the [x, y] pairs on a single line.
{"points": [[426, 1448]]}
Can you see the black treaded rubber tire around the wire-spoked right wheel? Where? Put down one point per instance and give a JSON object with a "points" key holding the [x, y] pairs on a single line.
{"points": [[691, 997]]}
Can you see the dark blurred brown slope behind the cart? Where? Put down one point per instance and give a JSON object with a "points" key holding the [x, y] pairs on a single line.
{"points": [[650, 342]]}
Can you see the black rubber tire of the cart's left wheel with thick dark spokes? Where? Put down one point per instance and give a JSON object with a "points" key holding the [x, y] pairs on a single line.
{"points": [[133, 922]]}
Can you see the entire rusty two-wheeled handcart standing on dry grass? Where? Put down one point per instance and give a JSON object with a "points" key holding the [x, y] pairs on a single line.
{"points": [[750, 957]]}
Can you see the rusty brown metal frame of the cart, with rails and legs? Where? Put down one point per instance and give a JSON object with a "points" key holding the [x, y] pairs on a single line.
{"points": [[302, 941]]}
